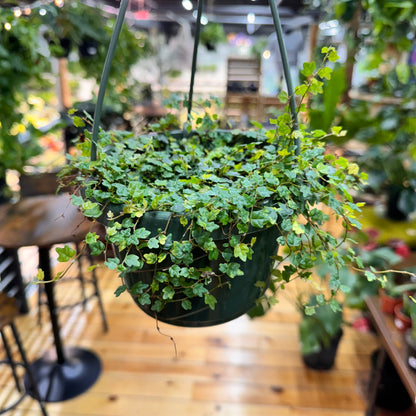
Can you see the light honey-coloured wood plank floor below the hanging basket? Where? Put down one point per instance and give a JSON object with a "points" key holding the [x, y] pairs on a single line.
{"points": [[243, 368]]}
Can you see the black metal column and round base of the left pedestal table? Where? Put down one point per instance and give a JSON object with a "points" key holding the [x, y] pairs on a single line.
{"points": [[62, 373]]}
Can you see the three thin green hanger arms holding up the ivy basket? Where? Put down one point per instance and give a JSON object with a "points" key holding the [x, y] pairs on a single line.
{"points": [[113, 44]]}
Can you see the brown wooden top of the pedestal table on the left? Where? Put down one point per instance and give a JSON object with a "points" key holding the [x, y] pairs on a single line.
{"points": [[41, 221]]}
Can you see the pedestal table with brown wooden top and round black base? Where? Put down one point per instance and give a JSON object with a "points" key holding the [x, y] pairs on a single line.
{"points": [[44, 221]]}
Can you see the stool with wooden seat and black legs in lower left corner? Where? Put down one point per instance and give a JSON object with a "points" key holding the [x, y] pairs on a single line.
{"points": [[8, 312]]}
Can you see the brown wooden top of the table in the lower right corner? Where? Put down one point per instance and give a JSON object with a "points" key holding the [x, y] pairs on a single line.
{"points": [[394, 343]]}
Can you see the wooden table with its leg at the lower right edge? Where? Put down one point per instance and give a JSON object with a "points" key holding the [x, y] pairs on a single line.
{"points": [[394, 345]]}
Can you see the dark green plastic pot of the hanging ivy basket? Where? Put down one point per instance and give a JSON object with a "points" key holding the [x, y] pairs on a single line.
{"points": [[233, 300]]}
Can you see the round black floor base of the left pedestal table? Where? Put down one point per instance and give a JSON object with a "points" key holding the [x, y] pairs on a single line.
{"points": [[59, 382]]}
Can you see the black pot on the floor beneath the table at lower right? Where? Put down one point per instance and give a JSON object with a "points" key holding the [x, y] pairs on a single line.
{"points": [[391, 393]]}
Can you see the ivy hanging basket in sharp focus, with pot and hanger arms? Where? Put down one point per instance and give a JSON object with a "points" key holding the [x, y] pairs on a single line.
{"points": [[196, 216]]}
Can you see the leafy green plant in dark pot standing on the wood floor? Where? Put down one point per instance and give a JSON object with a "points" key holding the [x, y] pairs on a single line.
{"points": [[320, 331]]}
